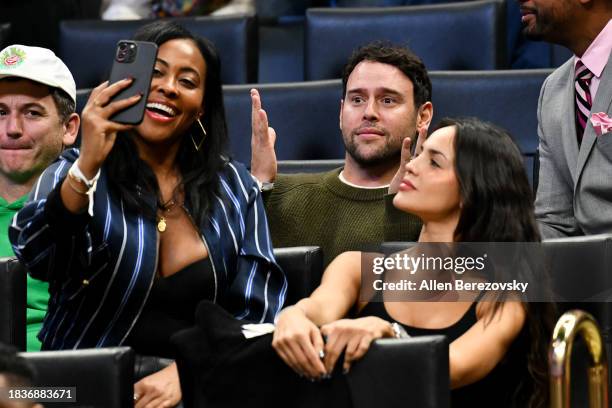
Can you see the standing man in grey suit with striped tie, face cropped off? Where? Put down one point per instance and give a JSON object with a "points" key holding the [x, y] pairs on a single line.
{"points": [[574, 194]]}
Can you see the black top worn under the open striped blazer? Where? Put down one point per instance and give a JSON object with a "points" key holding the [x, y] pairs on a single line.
{"points": [[171, 307]]}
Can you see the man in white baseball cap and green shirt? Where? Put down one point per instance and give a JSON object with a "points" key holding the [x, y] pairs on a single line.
{"points": [[37, 120]]}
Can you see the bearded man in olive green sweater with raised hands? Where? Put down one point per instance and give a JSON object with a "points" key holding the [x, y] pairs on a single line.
{"points": [[386, 104]]}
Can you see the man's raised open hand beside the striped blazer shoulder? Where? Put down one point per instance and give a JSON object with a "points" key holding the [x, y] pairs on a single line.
{"points": [[263, 156]]}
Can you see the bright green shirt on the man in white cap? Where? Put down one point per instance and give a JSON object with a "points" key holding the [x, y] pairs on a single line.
{"points": [[38, 291]]}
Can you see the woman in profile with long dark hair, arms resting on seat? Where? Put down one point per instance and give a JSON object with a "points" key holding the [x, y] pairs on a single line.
{"points": [[467, 185]]}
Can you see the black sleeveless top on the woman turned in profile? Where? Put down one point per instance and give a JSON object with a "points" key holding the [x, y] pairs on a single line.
{"points": [[497, 389]]}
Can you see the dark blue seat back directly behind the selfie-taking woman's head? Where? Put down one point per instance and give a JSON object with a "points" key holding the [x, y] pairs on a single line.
{"points": [[88, 46]]}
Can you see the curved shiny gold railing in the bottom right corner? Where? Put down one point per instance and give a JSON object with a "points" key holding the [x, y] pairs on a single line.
{"points": [[572, 323]]}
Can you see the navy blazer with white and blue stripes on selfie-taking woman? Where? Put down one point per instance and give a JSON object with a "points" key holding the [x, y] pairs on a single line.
{"points": [[101, 269]]}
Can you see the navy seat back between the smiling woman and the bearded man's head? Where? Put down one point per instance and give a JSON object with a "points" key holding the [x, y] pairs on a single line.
{"points": [[304, 115]]}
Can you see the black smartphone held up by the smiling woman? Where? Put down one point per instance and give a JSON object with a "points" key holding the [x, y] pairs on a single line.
{"points": [[135, 59]]}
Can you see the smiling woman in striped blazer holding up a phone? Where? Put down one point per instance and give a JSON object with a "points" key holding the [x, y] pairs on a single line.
{"points": [[149, 220]]}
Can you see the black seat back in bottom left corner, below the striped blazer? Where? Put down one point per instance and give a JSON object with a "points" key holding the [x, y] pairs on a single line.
{"points": [[102, 377]]}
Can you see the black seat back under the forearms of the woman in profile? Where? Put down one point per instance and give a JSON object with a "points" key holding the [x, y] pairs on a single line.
{"points": [[395, 373]]}
